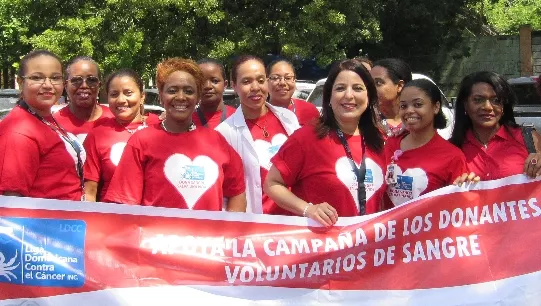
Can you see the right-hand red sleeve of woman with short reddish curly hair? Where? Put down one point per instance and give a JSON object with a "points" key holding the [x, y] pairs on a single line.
{"points": [[234, 183]]}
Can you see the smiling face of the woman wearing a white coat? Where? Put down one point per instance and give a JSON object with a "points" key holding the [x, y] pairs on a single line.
{"points": [[251, 85]]}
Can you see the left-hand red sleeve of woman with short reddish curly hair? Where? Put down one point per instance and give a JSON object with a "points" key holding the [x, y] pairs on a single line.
{"points": [[128, 181]]}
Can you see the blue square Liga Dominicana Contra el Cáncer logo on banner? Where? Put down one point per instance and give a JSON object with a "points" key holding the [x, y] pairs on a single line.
{"points": [[42, 252]]}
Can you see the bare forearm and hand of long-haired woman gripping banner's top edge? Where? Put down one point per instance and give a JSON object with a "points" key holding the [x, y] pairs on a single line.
{"points": [[276, 189]]}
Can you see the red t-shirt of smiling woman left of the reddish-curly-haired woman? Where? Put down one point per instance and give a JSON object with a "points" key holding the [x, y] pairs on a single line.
{"points": [[104, 146]]}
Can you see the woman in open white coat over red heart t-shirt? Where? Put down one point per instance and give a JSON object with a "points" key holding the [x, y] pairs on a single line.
{"points": [[256, 130]]}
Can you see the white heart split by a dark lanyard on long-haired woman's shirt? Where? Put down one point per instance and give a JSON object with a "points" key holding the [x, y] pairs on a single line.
{"points": [[373, 179]]}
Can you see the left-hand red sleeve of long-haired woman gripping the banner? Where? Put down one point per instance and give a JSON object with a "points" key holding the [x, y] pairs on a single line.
{"points": [[290, 161]]}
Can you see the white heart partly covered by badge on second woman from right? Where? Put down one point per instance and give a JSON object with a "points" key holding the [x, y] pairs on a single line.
{"points": [[410, 184]]}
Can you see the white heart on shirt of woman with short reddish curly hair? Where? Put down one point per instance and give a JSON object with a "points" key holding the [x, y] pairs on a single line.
{"points": [[191, 178]]}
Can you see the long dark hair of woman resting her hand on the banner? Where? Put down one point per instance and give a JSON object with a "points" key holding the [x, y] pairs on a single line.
{"points": [[367, 123]]}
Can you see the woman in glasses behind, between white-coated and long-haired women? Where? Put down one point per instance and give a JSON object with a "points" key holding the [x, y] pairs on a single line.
{"points": [[281, 89]]}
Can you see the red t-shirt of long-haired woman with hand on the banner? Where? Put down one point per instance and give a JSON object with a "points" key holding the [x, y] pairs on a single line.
{"points": [[318, 170]]}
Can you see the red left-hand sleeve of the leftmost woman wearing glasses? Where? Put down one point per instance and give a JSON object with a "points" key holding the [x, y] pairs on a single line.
{"points": [[19, 163]]}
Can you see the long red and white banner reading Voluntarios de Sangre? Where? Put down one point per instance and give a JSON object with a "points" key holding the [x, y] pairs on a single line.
{"points": [[477, 246]]}
